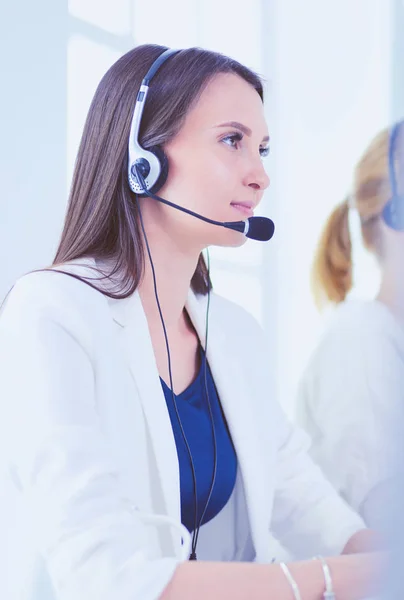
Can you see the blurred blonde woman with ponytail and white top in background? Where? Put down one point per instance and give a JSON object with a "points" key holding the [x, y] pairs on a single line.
{"points": [[354, 382]]}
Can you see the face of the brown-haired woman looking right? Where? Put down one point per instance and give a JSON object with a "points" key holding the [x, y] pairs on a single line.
{"points": [[215, 164]]}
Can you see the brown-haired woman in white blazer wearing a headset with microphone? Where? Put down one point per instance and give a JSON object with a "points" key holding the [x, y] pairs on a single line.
{"points": [[135, 422]]}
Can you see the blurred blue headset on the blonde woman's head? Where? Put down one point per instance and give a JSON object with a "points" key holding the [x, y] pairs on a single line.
{"points": [[393, 211]]}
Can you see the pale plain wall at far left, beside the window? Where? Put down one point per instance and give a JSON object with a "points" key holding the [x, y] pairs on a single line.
{"points": [[33, 38]]}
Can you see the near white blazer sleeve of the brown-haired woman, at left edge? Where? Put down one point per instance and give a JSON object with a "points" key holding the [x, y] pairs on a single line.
{"points": [[94, 545]]}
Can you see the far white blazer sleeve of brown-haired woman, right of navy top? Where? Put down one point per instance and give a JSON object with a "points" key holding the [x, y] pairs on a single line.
{"points": [[309, 517]]}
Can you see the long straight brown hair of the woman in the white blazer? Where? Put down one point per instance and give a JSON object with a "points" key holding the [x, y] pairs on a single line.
{"points": [[102, 218]]}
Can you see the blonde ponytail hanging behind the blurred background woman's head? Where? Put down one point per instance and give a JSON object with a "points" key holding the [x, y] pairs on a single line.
{"points": [[331, 277]]}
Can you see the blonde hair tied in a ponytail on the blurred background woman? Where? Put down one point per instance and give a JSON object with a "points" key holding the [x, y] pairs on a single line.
{"points": [[331, 276]]}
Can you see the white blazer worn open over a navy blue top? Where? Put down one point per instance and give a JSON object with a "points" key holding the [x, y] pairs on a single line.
{"points": [[88, 445]]}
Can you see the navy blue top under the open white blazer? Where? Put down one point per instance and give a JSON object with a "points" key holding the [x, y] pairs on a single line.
{"points": [[195, 418]]}
